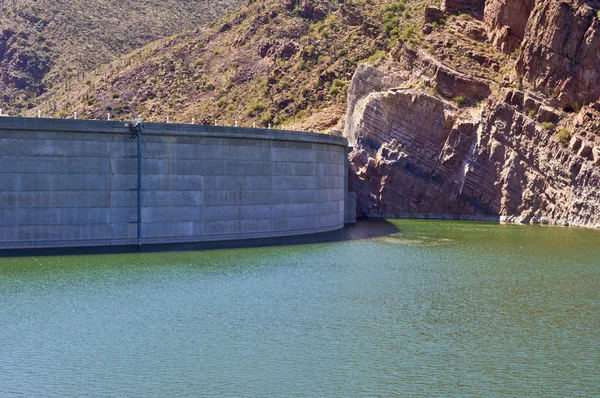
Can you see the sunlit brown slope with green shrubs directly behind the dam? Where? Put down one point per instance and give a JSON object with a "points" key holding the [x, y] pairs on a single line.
{"points": [[268, 63]]}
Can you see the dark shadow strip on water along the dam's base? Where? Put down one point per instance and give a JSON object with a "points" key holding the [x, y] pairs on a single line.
{"points": [[363, 229]]}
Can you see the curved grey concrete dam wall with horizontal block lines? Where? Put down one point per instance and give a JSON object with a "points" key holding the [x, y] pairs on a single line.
{"points": [[68, 183]]}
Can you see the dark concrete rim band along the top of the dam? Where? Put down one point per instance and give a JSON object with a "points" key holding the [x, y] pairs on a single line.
{"points": [[166, 129]]}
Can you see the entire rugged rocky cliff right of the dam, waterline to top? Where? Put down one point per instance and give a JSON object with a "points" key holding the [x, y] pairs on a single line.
{"points": [[494, 114]]}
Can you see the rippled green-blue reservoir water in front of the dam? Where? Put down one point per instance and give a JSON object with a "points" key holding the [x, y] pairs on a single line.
{"points": [[434, 309]]}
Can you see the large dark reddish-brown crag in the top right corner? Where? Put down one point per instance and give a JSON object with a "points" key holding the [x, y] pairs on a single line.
{"points": [[561, 51]]}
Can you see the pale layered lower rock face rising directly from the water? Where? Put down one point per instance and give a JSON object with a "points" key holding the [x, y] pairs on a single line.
{"points": [[417, 155]]}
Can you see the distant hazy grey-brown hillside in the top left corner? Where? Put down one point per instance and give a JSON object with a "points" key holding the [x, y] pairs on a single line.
{"points": [[46, 43]]}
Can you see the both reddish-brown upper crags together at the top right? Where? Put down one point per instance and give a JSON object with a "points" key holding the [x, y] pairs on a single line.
{"points": [[559, 43]]}
